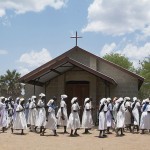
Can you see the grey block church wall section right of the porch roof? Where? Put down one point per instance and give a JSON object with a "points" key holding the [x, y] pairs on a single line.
{"points": [[127, 85]]}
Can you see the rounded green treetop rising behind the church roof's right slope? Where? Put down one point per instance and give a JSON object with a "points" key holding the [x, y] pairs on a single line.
{"points": [[120, 60]]}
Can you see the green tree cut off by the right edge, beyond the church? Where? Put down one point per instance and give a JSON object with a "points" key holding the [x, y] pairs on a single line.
{"points": [[144, 71]]}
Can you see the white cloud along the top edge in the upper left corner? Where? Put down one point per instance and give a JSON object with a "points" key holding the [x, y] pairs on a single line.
{"points": [[23, 6]]}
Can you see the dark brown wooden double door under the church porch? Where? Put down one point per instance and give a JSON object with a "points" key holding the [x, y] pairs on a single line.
{"points": [[78, 89]]}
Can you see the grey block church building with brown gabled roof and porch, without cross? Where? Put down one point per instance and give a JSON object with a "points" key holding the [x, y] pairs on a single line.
{"points": [[79, 73]]}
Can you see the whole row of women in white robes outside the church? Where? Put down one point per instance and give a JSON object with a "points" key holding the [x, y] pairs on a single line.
{"points": [[118, 114]]}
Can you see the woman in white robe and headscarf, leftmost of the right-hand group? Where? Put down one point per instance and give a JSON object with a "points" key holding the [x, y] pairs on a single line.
{"points": [[102, 118]]}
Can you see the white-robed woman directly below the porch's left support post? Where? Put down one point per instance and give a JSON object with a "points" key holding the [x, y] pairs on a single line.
{"points": [[32, 113]]}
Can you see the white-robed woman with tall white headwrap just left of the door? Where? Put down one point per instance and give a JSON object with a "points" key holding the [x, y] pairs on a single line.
{"points": [[62, 116]]}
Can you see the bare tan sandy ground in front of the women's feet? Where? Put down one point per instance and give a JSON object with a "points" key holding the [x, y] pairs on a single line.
{"points": [[33, 141]]}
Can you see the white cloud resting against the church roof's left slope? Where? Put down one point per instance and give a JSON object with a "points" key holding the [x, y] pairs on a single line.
{"points": [[31, 60]]}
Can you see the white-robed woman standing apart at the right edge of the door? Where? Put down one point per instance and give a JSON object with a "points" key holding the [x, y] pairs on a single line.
{"points": [[87, 121]]}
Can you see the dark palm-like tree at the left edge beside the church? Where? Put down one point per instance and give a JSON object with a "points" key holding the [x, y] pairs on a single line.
{"points": [[9, 83]]}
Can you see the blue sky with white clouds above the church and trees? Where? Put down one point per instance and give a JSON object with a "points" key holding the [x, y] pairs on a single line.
{"points": [[34, 32]]}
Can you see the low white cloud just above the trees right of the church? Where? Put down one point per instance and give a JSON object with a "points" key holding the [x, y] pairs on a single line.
{"points": [[133, 52]]}
